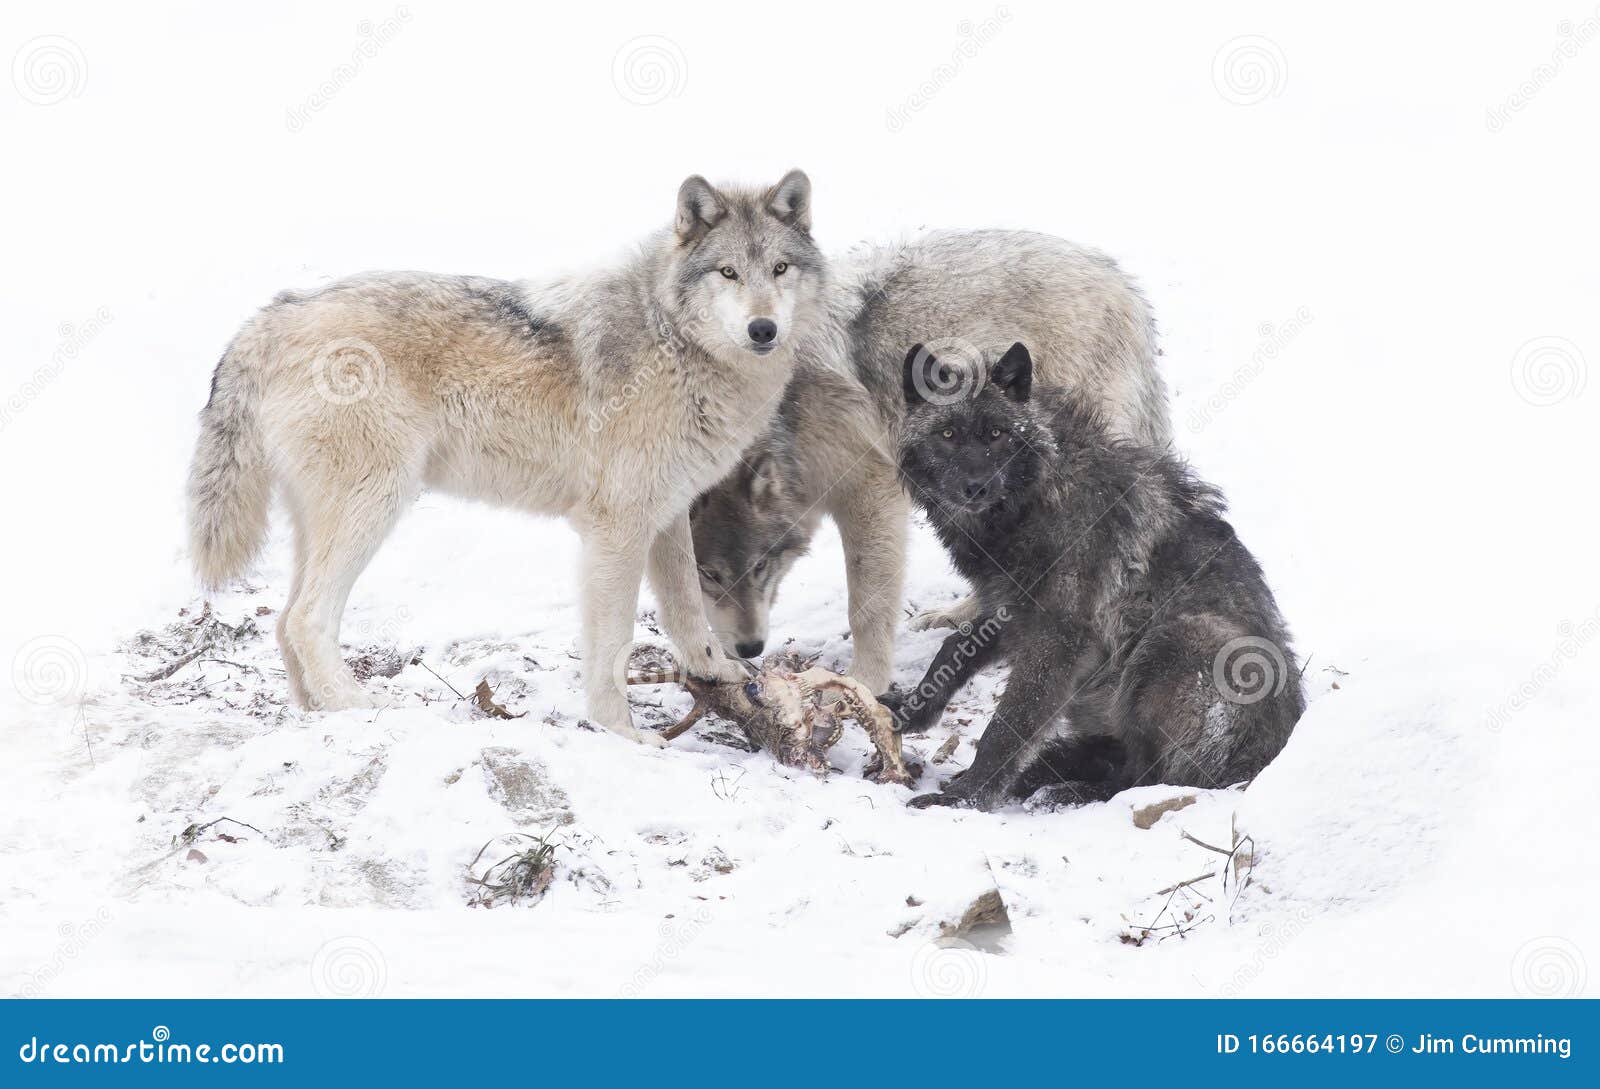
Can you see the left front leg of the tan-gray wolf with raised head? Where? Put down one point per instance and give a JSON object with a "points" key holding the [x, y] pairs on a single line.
{"points": [[612, 570]]}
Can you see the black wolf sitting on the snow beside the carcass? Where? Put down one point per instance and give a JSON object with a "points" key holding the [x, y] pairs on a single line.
{"points": [[1143, 640]]}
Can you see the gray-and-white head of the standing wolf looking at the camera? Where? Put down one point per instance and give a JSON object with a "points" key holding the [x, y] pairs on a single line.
{"points": [[746, 265]]}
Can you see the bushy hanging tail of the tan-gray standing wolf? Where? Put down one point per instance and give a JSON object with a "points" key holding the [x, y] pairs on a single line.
{"points": [[230, 481]]}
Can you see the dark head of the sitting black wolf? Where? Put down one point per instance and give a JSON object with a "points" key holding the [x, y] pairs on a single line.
{"points": [[969, 444]]}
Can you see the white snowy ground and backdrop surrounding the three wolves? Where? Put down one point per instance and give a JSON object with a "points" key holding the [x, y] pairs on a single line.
{"points": [[1370, 245]]}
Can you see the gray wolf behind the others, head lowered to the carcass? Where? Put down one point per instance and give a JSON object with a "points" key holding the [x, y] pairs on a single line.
{"points": [[834, 445]]}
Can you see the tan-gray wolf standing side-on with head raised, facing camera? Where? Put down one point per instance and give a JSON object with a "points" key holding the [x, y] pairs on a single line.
{"points": [[610, 399]]}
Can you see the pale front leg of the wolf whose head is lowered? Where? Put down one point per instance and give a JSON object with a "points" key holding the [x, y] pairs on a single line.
{"points": [[873, 525]]}
